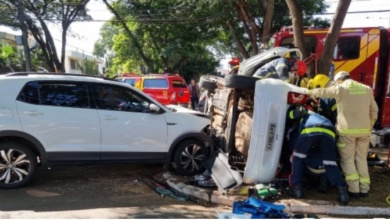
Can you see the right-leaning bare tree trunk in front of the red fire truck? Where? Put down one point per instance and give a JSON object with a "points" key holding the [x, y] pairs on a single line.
{"points": [[331, 38]]}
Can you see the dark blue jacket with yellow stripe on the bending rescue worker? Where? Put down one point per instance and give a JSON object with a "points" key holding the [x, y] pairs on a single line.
{"points": [[312, 123]]}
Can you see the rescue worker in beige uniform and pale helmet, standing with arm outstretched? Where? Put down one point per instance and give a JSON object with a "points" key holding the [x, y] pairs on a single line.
{"points": [[357, 112]]}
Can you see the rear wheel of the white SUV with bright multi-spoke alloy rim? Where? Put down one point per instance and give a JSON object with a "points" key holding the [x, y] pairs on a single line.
{"points": [[17, 165]]}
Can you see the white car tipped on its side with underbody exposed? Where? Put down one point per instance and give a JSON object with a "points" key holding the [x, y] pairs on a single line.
{"points": [[248, 116]]}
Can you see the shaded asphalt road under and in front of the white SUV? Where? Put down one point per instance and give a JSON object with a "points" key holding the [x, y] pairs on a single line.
{"points": [[97, 191]]}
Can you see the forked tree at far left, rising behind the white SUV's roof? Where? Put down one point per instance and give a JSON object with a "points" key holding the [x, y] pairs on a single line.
{"points": [[38, 14]]}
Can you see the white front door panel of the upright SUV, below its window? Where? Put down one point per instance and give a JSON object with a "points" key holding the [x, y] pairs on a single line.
{"points": [[133, 131]]}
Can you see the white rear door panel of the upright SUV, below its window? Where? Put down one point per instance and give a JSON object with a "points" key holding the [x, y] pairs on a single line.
{"points": [[61, 129]]}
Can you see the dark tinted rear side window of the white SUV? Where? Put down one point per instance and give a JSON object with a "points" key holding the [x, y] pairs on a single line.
{"points": [[65, 94]]}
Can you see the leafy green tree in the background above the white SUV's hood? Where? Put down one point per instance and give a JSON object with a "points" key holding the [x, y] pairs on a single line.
{"points": [[159, 35]]}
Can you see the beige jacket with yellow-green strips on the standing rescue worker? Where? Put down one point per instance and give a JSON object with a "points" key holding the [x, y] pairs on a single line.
{"points": [[357, 110]]}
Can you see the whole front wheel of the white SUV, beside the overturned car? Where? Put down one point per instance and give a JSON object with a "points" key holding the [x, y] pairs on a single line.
{"points": [[189, 156]]}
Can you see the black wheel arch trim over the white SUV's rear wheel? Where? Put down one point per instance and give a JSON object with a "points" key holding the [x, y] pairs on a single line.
{"points": [[28, 140]]}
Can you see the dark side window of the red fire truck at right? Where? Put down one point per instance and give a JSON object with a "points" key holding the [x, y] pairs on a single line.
{"points": [[347, 48]]}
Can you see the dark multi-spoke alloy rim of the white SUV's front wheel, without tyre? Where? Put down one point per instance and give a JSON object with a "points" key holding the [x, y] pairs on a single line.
{"points": [[192, 157]]}
